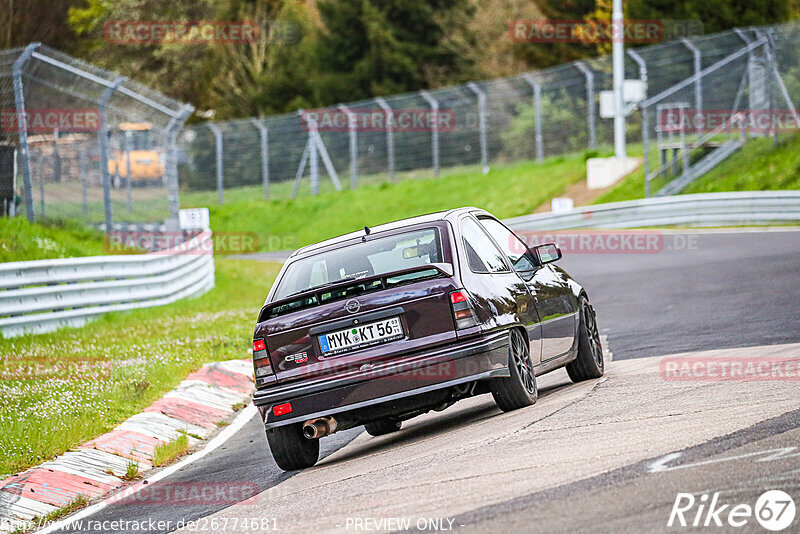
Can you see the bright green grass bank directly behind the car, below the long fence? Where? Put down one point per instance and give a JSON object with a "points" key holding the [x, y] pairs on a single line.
{"points": [[506, 191]]}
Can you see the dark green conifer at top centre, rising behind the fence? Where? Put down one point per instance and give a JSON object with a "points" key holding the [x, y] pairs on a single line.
{"points": [[370, 47]]}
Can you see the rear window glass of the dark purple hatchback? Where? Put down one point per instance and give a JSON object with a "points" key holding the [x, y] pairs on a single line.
{"points": [[374, 257]]}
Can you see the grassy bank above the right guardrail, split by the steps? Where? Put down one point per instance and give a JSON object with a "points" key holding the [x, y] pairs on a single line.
{"points": [[757, 166]]}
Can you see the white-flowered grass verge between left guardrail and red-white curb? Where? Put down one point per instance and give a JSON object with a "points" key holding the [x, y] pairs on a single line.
{"points": [[51, 400]]}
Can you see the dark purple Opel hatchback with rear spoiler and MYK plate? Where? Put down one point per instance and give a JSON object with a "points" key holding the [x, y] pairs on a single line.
{"points": [[384, 324]]}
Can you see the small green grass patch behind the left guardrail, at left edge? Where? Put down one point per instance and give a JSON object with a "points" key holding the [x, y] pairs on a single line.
{"points": [[21, 241]]}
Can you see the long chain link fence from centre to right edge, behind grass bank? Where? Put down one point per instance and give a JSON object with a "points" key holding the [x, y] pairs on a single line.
{"points": [[477, 125]]}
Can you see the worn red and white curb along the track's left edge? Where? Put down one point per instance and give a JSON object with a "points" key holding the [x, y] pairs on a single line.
{"points": [[194, 407]]}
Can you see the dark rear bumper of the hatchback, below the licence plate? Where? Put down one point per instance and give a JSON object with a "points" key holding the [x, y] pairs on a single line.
{"points": [[441, 368]]}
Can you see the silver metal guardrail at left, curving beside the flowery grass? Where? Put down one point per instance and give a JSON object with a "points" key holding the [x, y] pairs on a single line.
{"points": [[44, 295]]}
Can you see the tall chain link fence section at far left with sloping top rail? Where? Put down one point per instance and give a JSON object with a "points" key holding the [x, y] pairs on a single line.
{"points": [[78, 142]]}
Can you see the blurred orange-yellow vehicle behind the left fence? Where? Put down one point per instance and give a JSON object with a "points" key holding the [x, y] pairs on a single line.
{"points": [[146, 163]]}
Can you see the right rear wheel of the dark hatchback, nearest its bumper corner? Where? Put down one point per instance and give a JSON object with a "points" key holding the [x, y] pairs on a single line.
{"points": [[519, 390]]}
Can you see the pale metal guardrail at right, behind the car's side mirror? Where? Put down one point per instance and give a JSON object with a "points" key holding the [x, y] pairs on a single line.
{"points": [[704, 209]]}
